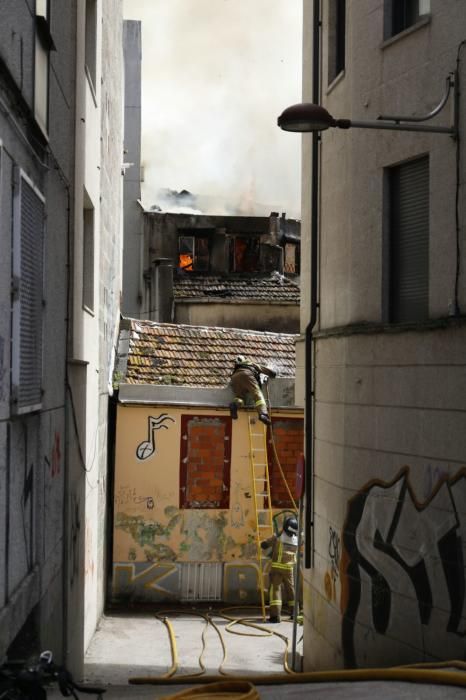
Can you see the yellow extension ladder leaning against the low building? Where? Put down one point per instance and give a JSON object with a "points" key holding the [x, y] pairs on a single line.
{"points": [[261, 491]]}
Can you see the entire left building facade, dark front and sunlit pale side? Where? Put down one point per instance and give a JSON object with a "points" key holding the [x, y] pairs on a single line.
{"points": [[61, 148]]}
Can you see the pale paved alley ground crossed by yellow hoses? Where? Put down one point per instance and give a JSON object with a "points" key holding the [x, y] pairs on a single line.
{"points": [[133, 645]]}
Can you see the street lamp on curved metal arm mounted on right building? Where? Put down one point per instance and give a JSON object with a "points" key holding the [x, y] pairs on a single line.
{"points": [[308, 117]]}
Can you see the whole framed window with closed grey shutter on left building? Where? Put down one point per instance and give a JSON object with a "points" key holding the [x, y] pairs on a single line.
{"points": [[28, 266]]}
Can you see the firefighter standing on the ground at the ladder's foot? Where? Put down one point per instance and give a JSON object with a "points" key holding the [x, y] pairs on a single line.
{"points": [[281, 577]]}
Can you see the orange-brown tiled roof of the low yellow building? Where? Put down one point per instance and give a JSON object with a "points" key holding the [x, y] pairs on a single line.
{"points": [[200, 356]]}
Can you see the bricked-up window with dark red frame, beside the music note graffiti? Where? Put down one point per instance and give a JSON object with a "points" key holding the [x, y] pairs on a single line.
{"points": [[205, 457]]}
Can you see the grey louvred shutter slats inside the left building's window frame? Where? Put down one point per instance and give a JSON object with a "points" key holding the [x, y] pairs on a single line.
{"points": [[31, 234]]}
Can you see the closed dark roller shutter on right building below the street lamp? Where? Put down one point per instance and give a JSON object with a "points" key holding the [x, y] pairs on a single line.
{"points": [[409, 259]]}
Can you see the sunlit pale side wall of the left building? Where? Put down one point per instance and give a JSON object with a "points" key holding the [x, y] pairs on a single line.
{"points": [[99, 147]]}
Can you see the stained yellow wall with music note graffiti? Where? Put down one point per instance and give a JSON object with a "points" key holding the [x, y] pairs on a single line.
{"points": [[160, 547]]}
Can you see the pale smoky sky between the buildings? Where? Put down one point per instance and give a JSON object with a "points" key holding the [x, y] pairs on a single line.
{"points": [[215, 76]]}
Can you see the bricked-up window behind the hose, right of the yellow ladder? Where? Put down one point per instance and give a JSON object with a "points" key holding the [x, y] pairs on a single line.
{"points": [[288, 435]]}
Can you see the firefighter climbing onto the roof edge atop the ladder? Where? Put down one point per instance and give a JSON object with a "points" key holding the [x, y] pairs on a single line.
{"points": [[246, 381]]}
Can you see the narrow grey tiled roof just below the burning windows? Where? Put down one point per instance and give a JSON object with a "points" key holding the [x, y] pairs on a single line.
{"points": [[274, 288]]}
